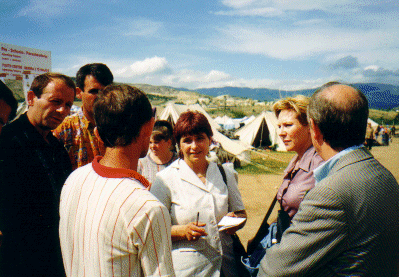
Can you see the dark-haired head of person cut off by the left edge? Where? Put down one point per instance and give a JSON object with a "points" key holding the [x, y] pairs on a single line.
{"points": [[8, 105]]}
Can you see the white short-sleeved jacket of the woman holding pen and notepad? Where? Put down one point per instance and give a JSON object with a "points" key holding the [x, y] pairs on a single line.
{"points": [[184, 195]]}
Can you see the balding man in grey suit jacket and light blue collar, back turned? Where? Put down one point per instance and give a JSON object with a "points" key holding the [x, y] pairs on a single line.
{"points": [[348, 225]]}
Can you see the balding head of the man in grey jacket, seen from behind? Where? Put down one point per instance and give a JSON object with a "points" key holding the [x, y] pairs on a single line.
{"points": [[340, 112]]}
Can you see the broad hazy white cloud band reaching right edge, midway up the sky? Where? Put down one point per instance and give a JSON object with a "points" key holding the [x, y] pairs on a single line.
{"points": [[303, 42]]}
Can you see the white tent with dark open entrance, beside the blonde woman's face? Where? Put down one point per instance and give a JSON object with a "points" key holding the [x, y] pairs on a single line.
{"points": [[263, 130]]}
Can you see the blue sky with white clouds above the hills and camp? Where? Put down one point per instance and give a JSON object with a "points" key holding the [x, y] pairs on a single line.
{"points": [[286, 44]]}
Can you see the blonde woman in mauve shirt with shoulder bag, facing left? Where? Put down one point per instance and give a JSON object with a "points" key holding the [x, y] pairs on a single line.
{"points": [[294, 130]]}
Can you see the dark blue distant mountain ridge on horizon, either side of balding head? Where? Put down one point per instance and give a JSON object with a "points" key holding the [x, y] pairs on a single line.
{"points": [[380, 96]]}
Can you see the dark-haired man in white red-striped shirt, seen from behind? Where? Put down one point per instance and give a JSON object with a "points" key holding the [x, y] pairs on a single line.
{"points": [[111, 225]]}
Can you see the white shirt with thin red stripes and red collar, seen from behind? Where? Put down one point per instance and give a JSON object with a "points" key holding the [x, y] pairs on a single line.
{"points": [[111, 225]]}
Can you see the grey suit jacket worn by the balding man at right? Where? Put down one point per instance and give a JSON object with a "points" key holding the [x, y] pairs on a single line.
{"points": [[348, 225]]}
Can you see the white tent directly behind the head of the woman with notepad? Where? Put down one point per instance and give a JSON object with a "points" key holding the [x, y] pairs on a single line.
{"points": [[172, 112]]}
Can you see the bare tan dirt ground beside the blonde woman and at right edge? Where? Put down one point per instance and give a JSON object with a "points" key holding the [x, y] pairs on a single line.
{"points": [[258, 191]]}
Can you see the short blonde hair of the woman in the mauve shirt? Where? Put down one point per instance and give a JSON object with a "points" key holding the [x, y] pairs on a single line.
{"points": [[299, 104]]}
